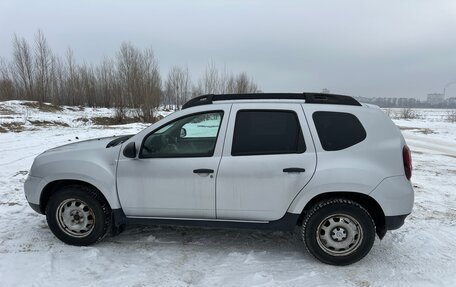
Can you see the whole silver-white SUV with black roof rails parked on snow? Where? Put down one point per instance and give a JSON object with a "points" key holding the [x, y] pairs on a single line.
{"points": [[337, 170]]}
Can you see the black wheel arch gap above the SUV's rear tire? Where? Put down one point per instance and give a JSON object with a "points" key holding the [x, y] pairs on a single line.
{"points": [[367, 202]]}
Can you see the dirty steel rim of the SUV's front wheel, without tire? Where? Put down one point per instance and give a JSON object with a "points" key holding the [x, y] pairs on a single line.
{"points": [[75, 217]]}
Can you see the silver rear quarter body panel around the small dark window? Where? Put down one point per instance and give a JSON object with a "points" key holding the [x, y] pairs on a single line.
{"points": [[373, 167]]}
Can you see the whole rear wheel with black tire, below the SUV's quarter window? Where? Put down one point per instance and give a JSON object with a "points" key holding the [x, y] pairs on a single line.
{"points": [[338, 231]]}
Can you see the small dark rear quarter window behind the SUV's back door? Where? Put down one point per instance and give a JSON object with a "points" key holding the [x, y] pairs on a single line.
{"points": [[337, 130]]}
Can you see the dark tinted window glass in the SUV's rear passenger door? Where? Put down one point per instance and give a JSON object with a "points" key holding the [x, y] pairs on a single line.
{"points": [[259, 132]]}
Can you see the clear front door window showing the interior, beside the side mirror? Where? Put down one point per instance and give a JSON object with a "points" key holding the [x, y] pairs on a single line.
{"points": [[190, 136]]}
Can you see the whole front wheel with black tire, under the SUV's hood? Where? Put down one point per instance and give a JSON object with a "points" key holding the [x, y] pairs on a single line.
{"points": [[78, 215]]}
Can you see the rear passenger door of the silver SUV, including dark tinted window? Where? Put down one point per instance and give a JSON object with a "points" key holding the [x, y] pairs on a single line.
{"points": [[268, 157]]}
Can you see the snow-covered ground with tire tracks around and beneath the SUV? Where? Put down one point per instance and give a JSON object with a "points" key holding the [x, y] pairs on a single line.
{"points": [[421, 253]]}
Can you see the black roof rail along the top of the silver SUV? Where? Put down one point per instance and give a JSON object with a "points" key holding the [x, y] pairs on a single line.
{"points": [[310, 98]]}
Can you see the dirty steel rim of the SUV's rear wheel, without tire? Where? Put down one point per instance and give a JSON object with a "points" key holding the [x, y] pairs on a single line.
{"points": [[339, 235]]}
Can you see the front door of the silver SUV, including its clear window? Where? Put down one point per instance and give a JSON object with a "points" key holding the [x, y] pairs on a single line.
{"points": [[174, 173]]}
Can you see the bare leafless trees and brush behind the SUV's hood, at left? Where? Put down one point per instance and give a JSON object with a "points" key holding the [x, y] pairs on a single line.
{"points": [[130, 80]]}
